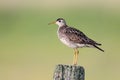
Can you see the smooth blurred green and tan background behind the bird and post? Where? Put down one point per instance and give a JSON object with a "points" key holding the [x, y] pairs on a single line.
{"points": [[30, 49]]}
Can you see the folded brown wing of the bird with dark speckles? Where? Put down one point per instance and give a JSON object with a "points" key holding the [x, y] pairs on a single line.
{"points": [[77, 36]]}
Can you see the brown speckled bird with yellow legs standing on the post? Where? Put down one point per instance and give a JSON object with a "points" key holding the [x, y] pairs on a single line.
{"points": [[74, 38]]}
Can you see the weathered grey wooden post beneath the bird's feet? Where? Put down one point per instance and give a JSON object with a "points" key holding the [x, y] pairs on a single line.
{"points": [[69, 72]]}
